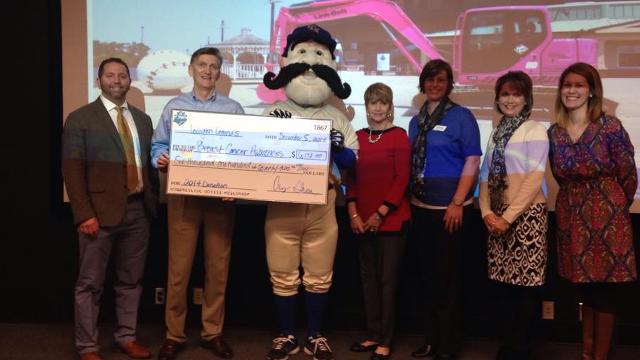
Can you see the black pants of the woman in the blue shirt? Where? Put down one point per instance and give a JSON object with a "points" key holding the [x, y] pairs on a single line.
{"points": [[440, 255]]}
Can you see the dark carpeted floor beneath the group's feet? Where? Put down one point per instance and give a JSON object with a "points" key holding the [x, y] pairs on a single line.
{"points": [[55, 342]]}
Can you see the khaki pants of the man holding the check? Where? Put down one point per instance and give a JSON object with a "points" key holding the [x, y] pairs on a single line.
{"points": [[186, 214]]}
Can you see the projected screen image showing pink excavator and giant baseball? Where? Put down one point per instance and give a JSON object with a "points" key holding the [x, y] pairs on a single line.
{"points": [[379, 41]]}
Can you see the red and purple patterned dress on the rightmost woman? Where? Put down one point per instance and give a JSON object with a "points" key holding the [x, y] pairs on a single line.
{"points": [[598, 179]]}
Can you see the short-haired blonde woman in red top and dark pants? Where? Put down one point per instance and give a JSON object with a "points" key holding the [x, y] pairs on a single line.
{"points": [[379, 208]]}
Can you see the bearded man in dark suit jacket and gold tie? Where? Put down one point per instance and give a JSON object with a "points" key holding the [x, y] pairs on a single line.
{"points": [[113, 193]]}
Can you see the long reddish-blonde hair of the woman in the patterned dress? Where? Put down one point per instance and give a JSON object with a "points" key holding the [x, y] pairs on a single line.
{"points": [[594, 110]]}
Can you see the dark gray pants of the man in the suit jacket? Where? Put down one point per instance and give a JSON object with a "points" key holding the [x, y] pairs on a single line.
{"points": [[128, 241]]}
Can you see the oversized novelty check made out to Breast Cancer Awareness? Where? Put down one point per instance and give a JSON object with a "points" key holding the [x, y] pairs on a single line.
{"points": [[249, 157]]}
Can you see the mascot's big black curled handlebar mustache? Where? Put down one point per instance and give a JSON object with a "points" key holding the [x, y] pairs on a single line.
{"points": [[291, 71]]}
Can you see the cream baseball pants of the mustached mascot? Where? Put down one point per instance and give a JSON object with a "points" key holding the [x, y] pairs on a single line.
{"points": [[301, 234]]}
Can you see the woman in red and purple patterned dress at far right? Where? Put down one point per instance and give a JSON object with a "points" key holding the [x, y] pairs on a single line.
{"points": [[591, 157]]}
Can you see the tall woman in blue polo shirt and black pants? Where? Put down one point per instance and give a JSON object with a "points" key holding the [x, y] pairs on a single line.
{"points": [[445, 156]]}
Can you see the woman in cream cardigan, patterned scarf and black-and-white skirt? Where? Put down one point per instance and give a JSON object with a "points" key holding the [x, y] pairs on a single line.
{"points": [[514, 209]]}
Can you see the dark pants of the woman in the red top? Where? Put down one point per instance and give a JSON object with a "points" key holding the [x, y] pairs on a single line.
{"points": [[379, 256]]}
